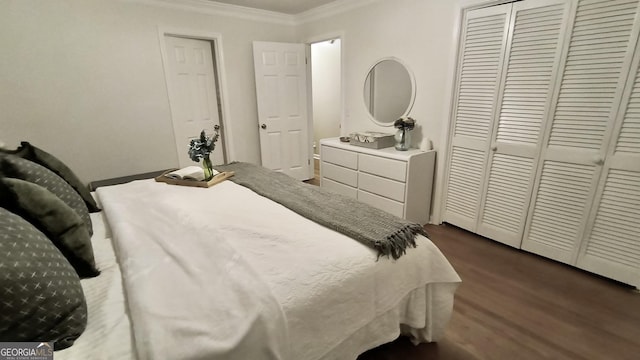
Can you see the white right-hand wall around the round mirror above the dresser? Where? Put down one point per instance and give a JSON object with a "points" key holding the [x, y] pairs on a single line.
{"points": [[423, 34]]}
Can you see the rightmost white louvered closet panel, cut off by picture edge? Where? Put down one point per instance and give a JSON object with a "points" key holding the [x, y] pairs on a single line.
{"points": [[612, 243]]}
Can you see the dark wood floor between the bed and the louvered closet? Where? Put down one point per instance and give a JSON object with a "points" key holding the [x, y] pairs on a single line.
{"points": [[516, 305]]}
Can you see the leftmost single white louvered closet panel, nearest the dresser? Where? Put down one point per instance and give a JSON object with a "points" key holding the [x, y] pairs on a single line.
{"points": [[483, 41]]}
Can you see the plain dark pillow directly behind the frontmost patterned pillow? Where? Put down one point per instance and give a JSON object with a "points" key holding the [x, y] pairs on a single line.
{"points": [[54, 218]]}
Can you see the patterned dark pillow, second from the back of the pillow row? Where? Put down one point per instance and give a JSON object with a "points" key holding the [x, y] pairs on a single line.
{"points": [[19, 168]]}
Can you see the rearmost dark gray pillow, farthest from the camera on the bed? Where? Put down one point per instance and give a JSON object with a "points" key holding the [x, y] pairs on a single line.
{"points": [[32, 153]]}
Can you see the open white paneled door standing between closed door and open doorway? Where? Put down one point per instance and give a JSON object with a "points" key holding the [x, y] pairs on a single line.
{"points": [[283, 108]]}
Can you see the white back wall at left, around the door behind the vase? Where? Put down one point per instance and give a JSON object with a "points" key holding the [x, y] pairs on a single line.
{"points": [[84, 80]]}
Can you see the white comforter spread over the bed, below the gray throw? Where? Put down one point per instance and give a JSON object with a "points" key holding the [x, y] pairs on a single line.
{"points": [[225, 272]]}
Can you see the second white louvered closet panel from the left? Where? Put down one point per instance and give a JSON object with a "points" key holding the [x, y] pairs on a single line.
{"points": [[531, 66]]}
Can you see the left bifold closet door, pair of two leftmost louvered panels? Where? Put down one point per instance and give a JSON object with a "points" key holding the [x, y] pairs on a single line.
{"points": [[496, 141]]}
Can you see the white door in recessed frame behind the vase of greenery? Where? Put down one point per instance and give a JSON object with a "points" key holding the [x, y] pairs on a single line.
{"points": [[192, 94]]}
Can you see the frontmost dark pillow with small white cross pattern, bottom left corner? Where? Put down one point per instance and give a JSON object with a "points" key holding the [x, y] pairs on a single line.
{"points": [[42, 299]]}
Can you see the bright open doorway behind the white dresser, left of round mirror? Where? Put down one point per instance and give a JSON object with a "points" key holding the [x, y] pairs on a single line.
{"points": [[326, 91]]}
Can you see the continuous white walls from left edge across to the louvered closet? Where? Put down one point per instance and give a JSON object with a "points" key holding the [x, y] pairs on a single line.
{"points": [[84, 78]]}
